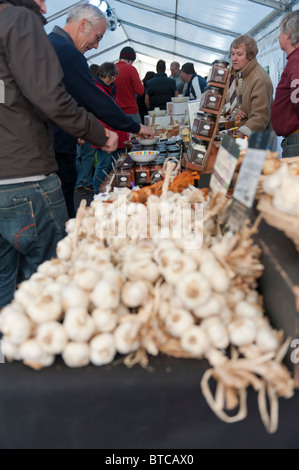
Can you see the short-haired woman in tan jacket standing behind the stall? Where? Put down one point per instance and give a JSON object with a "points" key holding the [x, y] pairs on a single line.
{"points": [[253, 87]]}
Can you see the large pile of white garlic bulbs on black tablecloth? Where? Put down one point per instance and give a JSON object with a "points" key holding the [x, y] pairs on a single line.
{"points": [[147, 292]]}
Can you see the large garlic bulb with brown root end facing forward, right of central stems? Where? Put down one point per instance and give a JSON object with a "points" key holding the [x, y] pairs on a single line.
{"points": [[194, 290]]}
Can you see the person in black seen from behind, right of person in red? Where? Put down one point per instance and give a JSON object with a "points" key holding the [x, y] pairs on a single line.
{"points": [[160, 89]]}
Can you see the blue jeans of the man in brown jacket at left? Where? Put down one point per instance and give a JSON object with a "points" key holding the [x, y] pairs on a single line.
{"points": [[32, 221]]}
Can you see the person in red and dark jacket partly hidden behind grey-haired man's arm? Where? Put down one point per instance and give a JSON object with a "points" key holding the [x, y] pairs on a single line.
{"points": [[104, 76]]}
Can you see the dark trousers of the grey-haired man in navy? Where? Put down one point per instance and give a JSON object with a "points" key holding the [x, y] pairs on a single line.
{"points": [[68, 175]]}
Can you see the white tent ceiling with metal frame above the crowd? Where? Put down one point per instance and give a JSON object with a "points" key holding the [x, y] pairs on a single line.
{"points": [[183, 30]]}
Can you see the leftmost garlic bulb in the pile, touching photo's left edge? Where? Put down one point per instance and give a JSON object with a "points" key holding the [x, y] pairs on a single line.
{"points": [[16, 327]]}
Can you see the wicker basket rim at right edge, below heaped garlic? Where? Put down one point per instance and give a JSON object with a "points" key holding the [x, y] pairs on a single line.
{"points": [[289, 224]]}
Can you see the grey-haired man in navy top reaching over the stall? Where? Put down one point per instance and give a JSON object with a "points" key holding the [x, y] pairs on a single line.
{"points": [[85, 27]]}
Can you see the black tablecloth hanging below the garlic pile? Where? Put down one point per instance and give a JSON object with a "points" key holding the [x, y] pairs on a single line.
{"points": [[113, 407]]}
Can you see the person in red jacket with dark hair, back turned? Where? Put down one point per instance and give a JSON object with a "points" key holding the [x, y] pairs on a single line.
{"points": [[128, 84]]}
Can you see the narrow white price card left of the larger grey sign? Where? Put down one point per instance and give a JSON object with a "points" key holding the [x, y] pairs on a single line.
{"points": [[225, 165]]}
